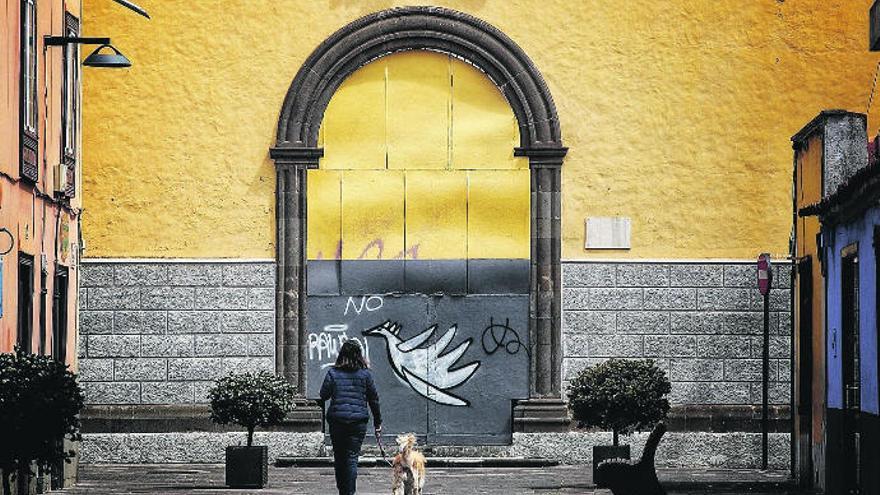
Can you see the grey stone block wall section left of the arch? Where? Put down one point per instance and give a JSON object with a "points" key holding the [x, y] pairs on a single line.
{"points": [[161, 332]]}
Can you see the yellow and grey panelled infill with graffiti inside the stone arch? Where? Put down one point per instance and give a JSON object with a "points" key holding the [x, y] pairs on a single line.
{"points": [[418, 245]]}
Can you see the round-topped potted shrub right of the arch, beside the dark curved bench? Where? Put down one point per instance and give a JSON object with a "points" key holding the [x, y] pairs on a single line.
{"points": [[618, 395]]}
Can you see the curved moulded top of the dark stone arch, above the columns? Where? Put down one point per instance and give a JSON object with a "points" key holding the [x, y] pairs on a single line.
{"points": [[419, 28]]}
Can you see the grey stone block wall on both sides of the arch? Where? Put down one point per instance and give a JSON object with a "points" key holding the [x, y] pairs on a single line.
{"points": [[161, 332]]}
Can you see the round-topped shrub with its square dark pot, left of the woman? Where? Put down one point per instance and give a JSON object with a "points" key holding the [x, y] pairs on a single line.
{"points": [[249, 400]]}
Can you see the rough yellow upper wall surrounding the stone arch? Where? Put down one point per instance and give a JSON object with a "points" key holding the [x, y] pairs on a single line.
{"points": [[677, 114]]}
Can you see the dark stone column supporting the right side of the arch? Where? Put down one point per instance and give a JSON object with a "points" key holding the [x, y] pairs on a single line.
{"points": [[545, 409]]}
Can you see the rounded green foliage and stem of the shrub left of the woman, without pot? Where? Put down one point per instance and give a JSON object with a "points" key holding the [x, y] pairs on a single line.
{"points": [[251, 400]]}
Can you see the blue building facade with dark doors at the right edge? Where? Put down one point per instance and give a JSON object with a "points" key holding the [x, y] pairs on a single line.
{"points": [[849, 243]]}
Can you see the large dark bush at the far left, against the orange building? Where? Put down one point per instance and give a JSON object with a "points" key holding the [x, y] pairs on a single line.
{"points": [[39, 406]]}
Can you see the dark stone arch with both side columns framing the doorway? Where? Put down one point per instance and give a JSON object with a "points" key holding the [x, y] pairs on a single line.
{"points": [[507, 65]]}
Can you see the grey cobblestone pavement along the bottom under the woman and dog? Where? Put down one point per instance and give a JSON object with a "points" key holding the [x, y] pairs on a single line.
{"points": [[208, 480]]}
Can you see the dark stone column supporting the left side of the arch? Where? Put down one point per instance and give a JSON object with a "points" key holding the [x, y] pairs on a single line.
{"points": [[291, 165]]}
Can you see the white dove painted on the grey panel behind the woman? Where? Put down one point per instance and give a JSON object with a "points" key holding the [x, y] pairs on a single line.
{"points": [[424, 368]]}
